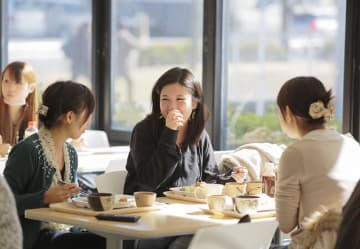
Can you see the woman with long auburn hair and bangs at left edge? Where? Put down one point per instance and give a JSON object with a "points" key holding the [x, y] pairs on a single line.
{"points": [[18, 103]]}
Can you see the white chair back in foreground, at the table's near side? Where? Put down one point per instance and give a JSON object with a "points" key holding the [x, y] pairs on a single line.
{"points": [[252, 235]]}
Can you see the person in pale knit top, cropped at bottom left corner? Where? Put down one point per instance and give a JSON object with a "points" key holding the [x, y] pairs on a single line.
{"points": [[10, 229]]}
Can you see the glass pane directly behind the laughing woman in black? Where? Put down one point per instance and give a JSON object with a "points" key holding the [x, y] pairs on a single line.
{"points": [[151, 37]]}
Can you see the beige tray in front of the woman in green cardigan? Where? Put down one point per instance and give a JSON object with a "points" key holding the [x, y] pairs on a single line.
{"points": [[68, 207]]}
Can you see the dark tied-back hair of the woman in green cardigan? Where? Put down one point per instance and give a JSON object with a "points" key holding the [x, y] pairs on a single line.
{"points": [[62, 97]]}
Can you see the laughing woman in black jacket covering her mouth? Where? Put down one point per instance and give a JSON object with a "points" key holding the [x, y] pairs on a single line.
{"points": [[170, 147]]}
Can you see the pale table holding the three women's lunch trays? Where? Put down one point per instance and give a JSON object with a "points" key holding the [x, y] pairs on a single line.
{"points": [[171, 220]]}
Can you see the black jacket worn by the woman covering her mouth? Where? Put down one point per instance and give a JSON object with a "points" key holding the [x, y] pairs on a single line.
{"points": [[155, 163]]}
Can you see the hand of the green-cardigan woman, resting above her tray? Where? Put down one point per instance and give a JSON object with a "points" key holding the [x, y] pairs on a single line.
{"points": [[60, 193]]}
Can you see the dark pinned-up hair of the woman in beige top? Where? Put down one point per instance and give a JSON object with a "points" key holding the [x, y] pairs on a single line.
{"points": [[299, 93]]}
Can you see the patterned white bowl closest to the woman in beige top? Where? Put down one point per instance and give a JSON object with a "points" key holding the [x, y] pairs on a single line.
{"points": [[246, 204]]}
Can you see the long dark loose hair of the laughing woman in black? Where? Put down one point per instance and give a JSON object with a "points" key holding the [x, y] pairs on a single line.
{"points": [[196, 123]]}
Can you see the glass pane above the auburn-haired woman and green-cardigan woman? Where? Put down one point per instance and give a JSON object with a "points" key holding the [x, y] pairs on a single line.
{"points": [[52, 36]]}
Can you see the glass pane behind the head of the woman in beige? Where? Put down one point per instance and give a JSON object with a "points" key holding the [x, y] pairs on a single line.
{"points": [[269, 42]]}
